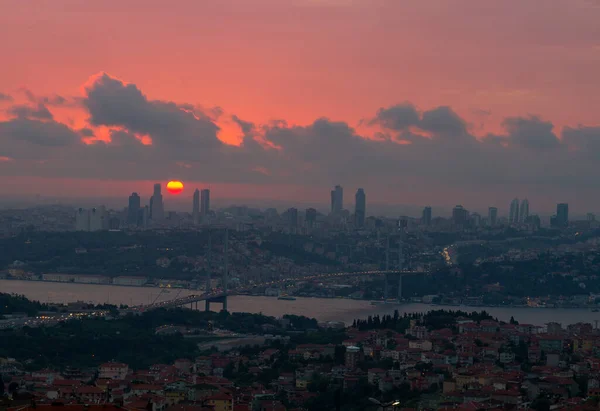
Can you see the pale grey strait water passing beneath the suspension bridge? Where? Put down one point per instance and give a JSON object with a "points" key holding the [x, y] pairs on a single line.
{"points": [[323, 309]]}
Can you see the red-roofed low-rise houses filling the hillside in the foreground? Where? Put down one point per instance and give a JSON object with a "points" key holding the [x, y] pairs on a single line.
{"points": [[485, 365]]}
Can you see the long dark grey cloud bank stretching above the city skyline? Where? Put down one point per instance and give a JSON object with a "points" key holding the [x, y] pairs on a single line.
{"points": [[443, 154]]}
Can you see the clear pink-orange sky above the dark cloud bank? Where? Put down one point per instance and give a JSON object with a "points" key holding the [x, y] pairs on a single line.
{"points": [[299, 60]]}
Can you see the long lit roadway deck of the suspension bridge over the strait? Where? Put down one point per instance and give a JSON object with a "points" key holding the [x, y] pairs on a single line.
{"points": [[217, 295]]}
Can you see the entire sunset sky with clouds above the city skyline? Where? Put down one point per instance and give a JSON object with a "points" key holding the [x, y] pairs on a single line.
{"points": [[417, 101]]}
